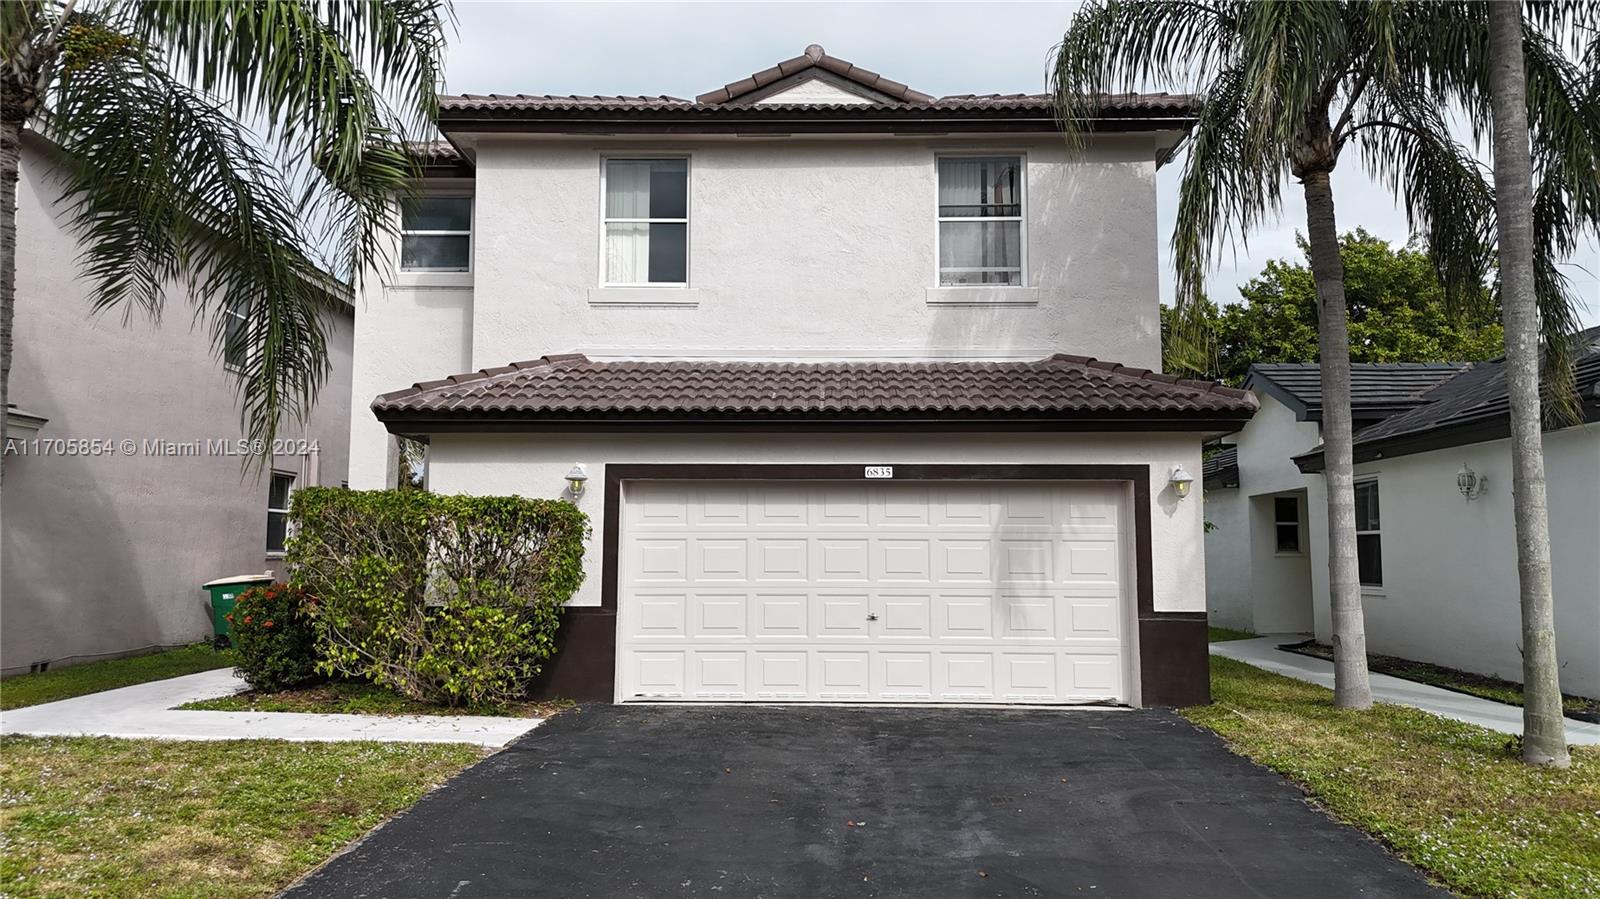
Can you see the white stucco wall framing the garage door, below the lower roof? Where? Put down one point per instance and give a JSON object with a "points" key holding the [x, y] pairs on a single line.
{"points": [[537, 465]]}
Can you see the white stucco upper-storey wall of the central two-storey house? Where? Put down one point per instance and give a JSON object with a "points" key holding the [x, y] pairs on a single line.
{"points": [[799, 249]]}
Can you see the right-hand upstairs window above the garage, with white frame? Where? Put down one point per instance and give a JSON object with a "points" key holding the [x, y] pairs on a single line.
{"points": [[980, 222]]}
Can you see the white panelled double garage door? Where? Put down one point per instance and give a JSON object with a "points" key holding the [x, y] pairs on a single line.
{"points": [[873, 593]]}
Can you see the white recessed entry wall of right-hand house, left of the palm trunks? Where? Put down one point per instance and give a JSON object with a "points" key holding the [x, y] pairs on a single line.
{"points": [[1254, 586]]}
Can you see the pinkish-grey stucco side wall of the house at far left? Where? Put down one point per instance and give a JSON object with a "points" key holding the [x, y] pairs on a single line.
{"points": [[106, 549]]}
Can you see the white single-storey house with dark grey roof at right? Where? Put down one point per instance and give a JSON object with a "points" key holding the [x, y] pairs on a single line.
{"points": [[1438, 569]]}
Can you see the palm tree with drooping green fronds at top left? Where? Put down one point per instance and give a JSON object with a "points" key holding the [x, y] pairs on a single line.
{"points": [[167, 186]]}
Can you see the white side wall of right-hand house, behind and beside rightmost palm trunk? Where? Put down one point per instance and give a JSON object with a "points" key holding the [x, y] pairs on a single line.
{"points": [[1450, 589]]}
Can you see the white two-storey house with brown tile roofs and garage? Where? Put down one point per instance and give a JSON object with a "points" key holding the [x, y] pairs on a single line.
{"points": [[822, 348]]}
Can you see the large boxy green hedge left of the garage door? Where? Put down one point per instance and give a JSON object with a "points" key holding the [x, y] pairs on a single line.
{"points": [[442, 599]]}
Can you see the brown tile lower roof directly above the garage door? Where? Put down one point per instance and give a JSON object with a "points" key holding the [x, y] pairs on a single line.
{"points": [[1055, 390]]}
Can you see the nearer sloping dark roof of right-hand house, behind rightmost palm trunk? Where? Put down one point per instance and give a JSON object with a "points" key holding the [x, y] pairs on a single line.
{"points": [[1470, 409]]}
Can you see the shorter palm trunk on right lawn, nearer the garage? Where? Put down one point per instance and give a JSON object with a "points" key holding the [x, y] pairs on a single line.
{"points": [[1351, 687]]}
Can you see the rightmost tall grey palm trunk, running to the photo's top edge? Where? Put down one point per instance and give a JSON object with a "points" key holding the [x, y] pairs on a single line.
{"points": [[1543, 729]]}
